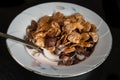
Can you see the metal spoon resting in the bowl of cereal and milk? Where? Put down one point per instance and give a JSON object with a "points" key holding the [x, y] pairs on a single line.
{"points": [[7, 36]]}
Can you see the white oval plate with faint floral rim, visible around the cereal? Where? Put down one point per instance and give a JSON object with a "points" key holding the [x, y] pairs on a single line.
{"points": [[20, 54]]}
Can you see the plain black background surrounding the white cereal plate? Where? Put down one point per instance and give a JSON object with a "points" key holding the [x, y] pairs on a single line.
{"points": [[108, 10]]}
